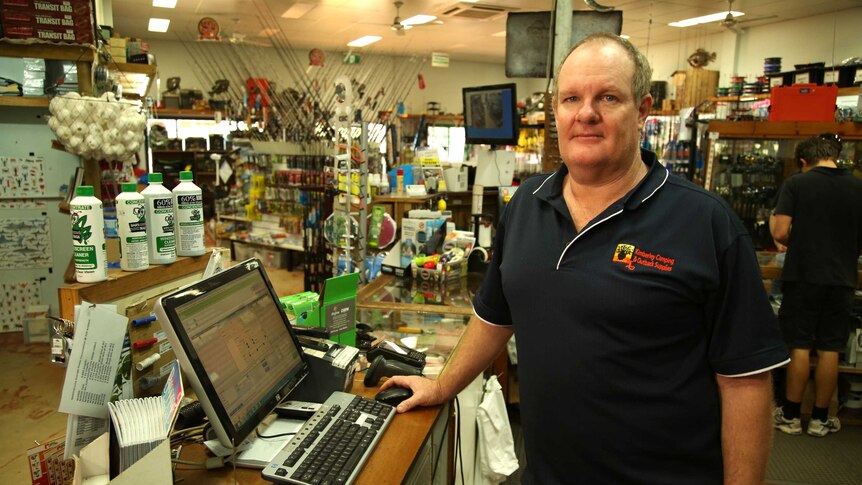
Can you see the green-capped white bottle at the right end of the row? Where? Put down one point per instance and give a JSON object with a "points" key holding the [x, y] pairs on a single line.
{"points": [[188, 201]]}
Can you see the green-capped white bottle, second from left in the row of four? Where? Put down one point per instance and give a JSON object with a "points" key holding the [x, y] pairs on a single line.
{"points": [[132, 229]]}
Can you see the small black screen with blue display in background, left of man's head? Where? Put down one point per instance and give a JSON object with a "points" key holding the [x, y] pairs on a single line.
{"points": [[491, 115]]}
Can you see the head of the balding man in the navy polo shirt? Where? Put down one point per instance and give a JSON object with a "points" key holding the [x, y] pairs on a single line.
{"points": [[597, 116]]}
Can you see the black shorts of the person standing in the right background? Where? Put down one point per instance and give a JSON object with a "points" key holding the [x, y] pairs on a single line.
{"points": [[815, 316]]}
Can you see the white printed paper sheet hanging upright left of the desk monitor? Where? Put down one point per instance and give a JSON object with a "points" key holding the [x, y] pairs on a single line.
{"points": [[99, 334]]}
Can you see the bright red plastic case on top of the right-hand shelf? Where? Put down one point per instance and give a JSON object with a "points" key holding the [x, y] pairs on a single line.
{"points": [[803, 102]]}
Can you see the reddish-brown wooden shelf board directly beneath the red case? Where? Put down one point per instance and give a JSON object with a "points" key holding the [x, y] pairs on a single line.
{"points": [[784, 130]]}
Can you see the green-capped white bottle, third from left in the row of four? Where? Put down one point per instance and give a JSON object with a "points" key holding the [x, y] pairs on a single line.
{"points": [[162, 245]]}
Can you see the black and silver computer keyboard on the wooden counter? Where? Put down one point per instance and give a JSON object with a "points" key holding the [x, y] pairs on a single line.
{"points": [[333, 444]]}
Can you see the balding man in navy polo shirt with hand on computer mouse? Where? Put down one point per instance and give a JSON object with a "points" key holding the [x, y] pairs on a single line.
{"points": [[645, 337]]}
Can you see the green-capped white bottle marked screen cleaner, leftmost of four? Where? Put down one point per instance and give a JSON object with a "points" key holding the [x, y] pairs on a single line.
{"points": [[88, 236]]}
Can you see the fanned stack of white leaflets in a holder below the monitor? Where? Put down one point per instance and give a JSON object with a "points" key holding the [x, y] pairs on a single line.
{"points": [[140, 425]]}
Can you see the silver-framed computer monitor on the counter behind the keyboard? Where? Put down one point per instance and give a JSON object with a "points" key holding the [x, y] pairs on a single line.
{"points": [[235, 346]]}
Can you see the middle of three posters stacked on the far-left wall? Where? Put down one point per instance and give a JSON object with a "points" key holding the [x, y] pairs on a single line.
{"points": [[25, 243]]}
